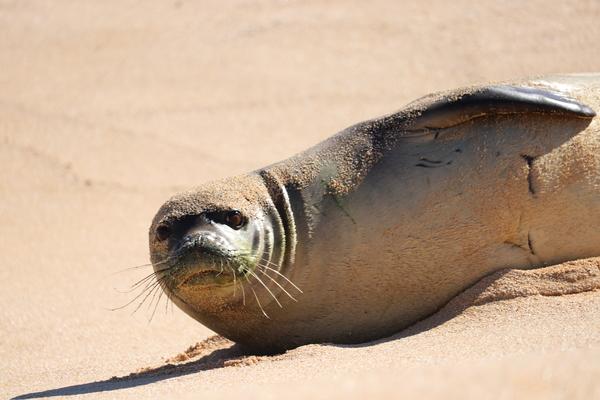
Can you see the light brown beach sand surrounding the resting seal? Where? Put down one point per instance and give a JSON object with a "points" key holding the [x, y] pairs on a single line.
{"points": [[107, 108]]}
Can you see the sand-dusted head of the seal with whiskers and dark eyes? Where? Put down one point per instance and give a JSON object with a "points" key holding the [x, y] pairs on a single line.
{"points": [[207, 244]]}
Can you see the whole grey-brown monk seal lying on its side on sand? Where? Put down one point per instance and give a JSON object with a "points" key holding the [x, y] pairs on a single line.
{"points": [[383, 223]]}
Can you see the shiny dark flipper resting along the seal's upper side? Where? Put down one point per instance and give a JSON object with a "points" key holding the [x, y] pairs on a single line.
{"points": [[438, 112]]}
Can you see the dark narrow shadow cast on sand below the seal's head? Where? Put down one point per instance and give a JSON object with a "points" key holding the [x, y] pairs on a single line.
{"points": [[214, 360]]}
